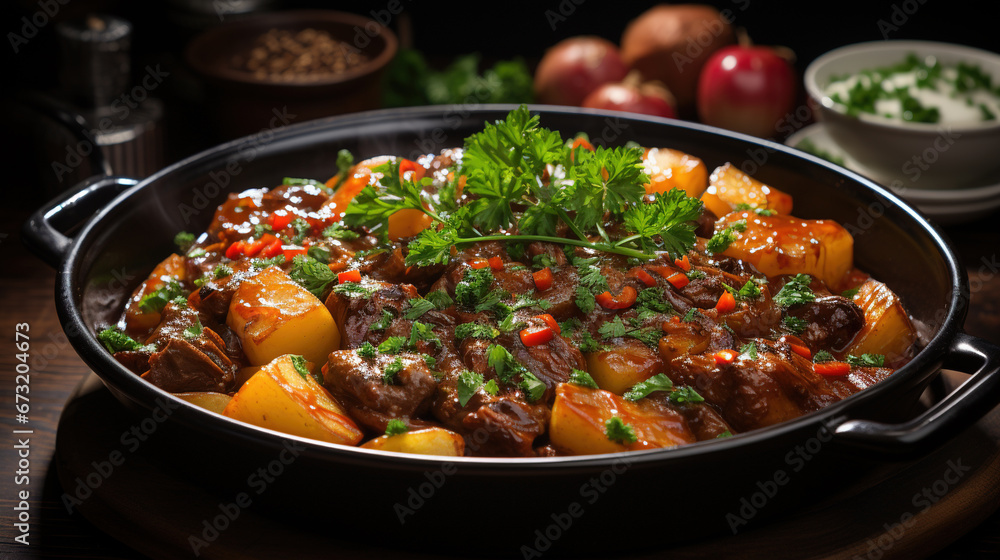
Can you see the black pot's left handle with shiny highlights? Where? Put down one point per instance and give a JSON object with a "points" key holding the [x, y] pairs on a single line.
{"points": [[43, 233]]}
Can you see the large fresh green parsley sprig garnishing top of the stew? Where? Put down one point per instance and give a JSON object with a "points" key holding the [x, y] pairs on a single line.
{"points": [[504, 165]]}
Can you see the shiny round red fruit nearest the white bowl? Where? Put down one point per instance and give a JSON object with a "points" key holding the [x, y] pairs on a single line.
{"points": [[746, 89]]}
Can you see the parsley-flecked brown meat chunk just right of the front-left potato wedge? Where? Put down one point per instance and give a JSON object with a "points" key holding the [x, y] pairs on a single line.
{"points": [[361, 386]]}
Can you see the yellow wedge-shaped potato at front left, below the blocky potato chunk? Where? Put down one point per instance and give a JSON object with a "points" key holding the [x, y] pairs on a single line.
{"points": [[281, 398]]}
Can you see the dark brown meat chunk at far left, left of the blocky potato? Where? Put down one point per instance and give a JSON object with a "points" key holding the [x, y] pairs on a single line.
{"points": [[198, 364]]}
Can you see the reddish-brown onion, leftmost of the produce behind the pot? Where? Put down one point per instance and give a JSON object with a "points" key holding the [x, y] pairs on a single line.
{"points": [[575, 67]]}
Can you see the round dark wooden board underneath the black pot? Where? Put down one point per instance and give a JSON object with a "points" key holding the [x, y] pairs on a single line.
{"points": [[915, 511]]}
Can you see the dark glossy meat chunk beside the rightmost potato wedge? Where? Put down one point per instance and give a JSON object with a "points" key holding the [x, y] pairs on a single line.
{"points": [[831, 322]]}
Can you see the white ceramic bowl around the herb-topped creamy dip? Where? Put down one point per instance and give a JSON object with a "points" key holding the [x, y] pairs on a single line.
{"points": [[927, 156]]}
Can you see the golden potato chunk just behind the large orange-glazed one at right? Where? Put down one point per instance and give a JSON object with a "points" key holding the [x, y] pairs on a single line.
{"points": [[729, 187]]}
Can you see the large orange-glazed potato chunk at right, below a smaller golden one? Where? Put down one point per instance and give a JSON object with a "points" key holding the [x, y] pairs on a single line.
{"points": [[786, 245]]}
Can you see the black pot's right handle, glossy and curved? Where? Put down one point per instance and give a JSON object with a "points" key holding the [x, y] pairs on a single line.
{"points": [[942, 421]]}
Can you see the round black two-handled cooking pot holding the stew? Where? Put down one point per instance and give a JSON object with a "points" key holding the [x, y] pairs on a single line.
{"points": [[521, 507]]}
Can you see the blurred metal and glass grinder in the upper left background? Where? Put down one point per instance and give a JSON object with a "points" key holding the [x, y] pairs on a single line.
{"points": [[124, 118]]}
